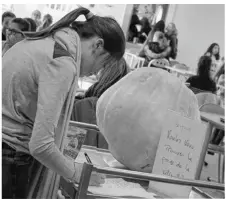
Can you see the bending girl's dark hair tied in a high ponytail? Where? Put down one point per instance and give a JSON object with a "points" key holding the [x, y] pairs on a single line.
{"points": [[104, 27]]}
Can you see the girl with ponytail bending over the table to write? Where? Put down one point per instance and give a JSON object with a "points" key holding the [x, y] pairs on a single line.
{"points": [[39, 83]]}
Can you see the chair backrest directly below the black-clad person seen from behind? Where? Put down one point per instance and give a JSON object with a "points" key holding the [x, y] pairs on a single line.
{"points": [[206, 98]]}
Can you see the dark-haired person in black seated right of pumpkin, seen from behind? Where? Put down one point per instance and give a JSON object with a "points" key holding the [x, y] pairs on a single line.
{"points": [[204, 79]]}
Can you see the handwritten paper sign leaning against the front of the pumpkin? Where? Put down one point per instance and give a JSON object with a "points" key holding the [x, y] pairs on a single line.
{"points": [[178, 154]]}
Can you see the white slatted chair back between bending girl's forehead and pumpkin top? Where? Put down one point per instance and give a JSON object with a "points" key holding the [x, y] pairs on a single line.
{"points": [[133, 60]]}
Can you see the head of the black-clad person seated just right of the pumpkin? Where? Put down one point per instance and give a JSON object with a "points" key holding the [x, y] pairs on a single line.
{"points": [[206, 68]]}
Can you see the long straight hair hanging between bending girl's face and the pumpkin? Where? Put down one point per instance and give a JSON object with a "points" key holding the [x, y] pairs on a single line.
{"points": [[108, 76]]}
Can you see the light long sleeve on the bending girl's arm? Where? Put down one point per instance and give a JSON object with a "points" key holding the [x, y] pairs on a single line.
{"points": [[55, 81]]}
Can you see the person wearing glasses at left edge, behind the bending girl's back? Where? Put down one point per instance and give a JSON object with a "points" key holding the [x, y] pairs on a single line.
{"points": [[14, 33]]}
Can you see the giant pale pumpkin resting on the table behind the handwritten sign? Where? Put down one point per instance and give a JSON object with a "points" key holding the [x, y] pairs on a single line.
{"points": [[131, 114]]}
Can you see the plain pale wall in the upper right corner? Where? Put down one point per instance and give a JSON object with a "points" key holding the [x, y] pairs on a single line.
{"points": [[198, 26]]}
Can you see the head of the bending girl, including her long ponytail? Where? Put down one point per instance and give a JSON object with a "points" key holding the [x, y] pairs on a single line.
{"points": [[102, 39]]}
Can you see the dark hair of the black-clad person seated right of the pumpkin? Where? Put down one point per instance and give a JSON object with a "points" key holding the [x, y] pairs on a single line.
{"points": [[204, 65]]}
